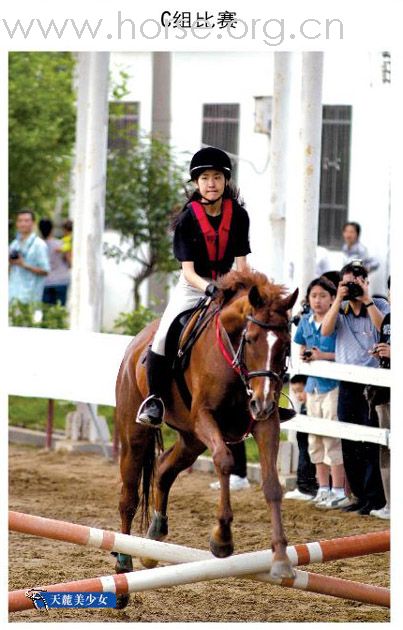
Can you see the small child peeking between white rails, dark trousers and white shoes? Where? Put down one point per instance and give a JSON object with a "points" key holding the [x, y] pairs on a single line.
{"points": [[307, 486]]}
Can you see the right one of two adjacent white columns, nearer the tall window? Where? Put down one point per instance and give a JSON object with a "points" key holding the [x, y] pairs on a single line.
{"points": [[309, 169]]}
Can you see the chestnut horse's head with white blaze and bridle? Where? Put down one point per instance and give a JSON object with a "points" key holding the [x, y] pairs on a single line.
{"points": [[267, 343]]}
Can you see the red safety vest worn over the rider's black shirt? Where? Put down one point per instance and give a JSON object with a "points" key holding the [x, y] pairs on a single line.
{"points": [[216, 241]]}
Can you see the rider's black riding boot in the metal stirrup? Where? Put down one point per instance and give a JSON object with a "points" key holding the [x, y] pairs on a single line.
{"points": [[159, 376]]}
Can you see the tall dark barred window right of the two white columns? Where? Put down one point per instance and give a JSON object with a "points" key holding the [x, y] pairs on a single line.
{"points": [[335, 174]]}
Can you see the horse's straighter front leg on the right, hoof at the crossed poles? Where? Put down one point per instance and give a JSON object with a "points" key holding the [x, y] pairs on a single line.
{"points": [[267, 435]]}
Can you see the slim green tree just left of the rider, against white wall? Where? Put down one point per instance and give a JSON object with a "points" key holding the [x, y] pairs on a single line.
{"points": [[144, 185]]}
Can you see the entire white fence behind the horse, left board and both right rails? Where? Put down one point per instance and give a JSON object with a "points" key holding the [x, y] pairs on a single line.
{"points": [[82, 367]]}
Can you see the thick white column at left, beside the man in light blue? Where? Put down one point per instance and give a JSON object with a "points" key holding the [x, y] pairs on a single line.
{"points": [[88, 199]]}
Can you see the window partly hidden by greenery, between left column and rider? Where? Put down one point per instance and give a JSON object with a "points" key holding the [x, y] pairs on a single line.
{"points": [[123, 124]]}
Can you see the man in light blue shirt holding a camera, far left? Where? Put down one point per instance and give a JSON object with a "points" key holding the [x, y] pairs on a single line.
{"points": [[28, 261]]}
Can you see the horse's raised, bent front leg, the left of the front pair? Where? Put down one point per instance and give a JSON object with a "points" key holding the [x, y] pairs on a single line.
{"points": [[206, 429]]}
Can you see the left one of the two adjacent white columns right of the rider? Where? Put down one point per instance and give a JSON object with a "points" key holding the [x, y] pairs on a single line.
{"points": [[279, 161]]}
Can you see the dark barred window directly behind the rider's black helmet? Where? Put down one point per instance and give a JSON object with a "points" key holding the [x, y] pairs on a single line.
{"points": [[221, 129]]}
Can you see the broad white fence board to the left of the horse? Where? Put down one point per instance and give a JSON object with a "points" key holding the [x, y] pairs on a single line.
{"points": [[64, 364]]}
